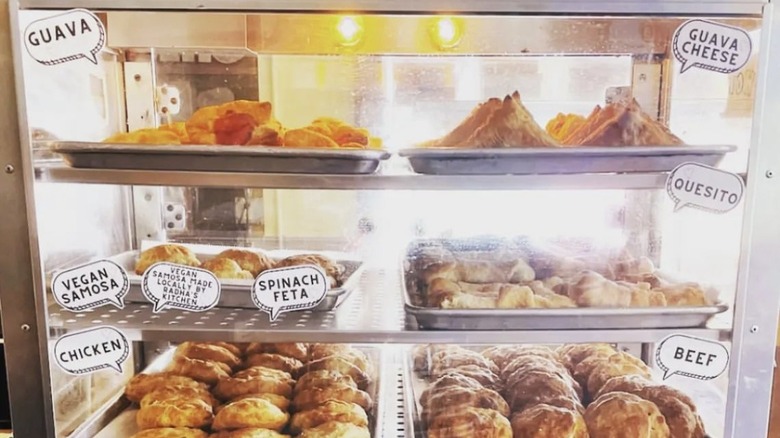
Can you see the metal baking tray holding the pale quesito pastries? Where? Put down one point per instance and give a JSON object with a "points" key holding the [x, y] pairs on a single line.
{"points": [[577, 318]]}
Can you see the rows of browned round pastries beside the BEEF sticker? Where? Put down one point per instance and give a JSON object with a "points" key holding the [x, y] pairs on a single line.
{"points": [[545, 391]]}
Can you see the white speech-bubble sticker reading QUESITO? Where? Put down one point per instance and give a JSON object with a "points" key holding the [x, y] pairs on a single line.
{"points": [[704, 187]]}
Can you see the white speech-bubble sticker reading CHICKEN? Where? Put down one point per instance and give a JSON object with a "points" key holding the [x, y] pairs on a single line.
{"points": [[91, 350]]}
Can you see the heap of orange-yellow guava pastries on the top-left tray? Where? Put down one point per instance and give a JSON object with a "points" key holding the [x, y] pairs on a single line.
{"points": [[250, 123]]}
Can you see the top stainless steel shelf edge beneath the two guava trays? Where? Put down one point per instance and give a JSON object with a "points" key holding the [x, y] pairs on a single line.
{"points": [[379, 181]]}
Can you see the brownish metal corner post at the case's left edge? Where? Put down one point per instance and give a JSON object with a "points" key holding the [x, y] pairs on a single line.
{"points": [[23, 315]]}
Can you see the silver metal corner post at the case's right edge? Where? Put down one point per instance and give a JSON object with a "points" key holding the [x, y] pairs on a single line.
{"points": [[758, 297]]}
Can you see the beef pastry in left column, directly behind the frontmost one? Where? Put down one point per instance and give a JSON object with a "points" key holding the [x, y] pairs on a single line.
{"points": [[455, 398]]}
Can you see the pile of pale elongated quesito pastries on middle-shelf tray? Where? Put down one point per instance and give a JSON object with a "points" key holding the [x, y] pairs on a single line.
{"points": [[520, 278]]}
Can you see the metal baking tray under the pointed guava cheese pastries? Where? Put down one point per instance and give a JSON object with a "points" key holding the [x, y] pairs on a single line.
{"points": [[564, 160]]}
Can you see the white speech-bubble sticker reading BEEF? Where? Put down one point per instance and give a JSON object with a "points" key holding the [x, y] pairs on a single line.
{"points": [[691, 357]]}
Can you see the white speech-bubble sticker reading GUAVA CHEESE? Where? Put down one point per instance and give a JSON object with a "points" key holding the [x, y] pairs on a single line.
{"points": [[711, 46]]}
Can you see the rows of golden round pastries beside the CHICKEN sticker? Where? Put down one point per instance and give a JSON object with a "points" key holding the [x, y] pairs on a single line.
{"points": [[250, 391]]}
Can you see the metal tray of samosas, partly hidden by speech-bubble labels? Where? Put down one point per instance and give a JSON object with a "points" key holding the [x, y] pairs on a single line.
{"points": [[235, 293]]}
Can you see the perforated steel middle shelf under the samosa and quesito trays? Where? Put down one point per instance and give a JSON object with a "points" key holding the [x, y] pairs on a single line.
{"points": [[373, 314]]}
